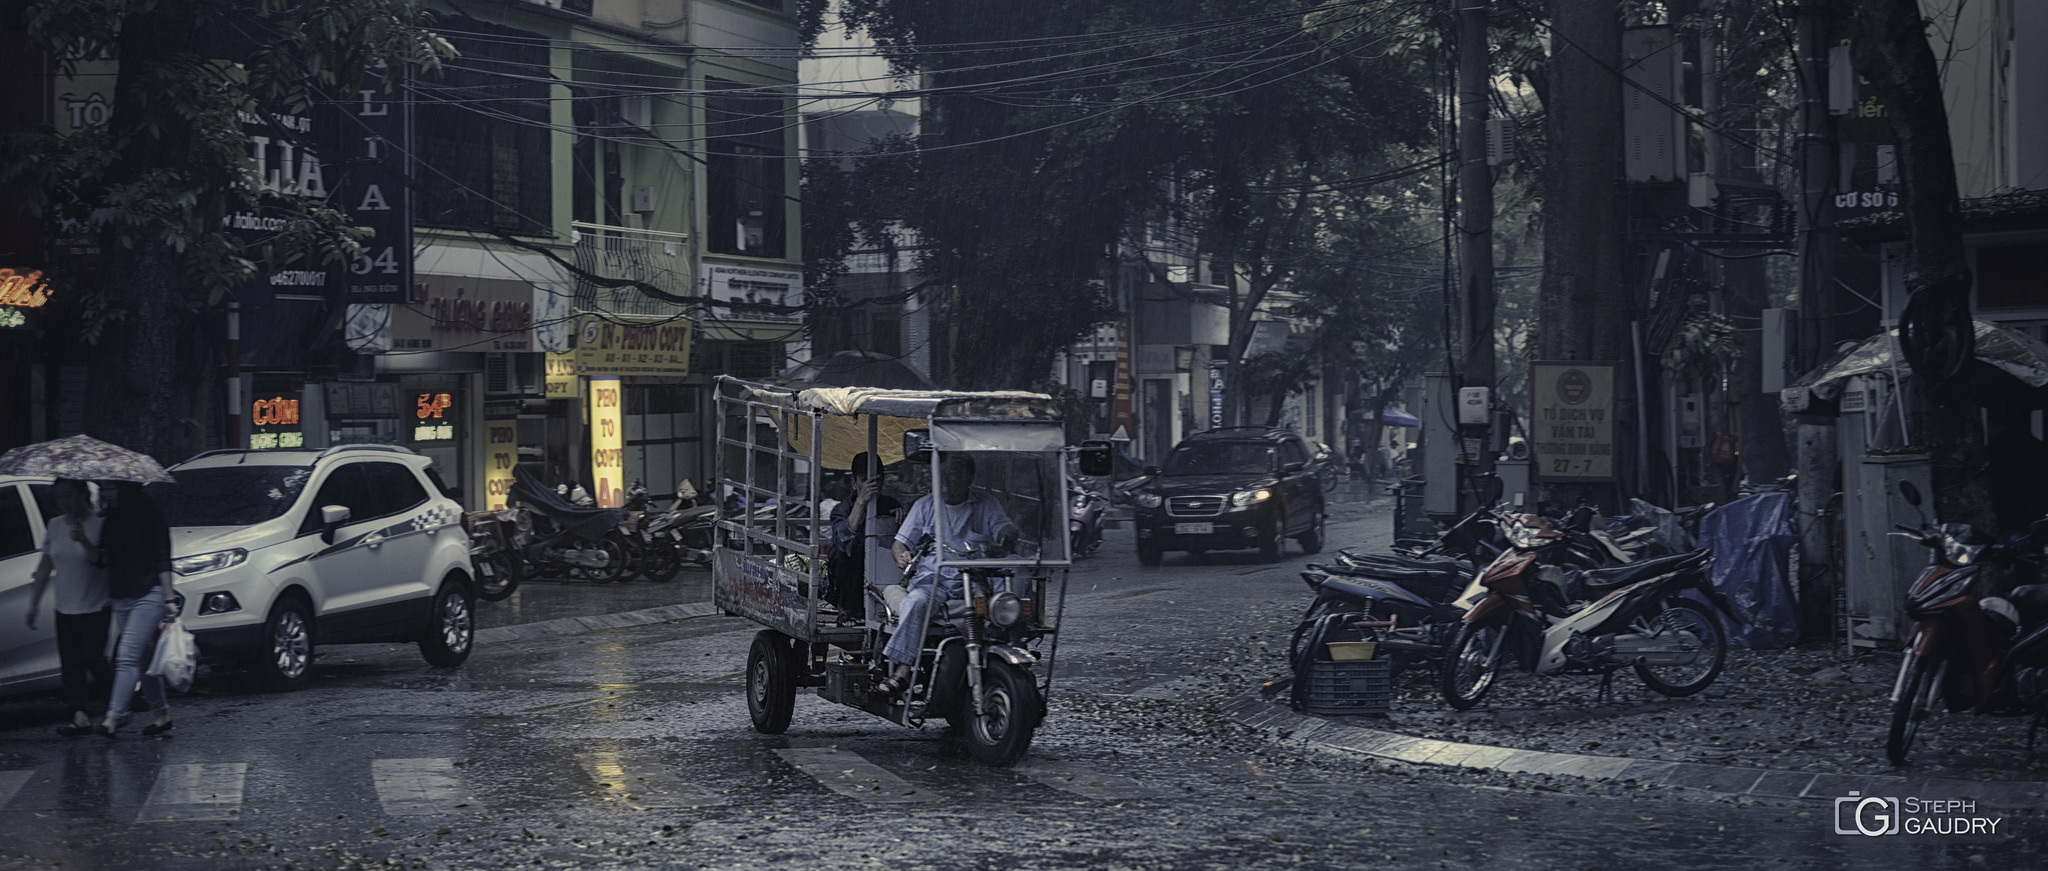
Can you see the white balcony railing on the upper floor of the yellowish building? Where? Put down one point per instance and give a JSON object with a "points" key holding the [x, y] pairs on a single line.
{"points": [[650, 257]]}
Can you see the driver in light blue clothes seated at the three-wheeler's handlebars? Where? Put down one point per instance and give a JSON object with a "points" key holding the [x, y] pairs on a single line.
{"points": [[972, 522]]}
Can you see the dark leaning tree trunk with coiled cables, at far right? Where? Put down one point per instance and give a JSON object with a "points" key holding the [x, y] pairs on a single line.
{"points": [[1891, 54]]}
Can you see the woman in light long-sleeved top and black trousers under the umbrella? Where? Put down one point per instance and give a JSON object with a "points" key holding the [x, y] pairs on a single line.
{"points": [[73, 554]]}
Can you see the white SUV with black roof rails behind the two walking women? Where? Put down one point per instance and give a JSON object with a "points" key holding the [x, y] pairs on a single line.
{"points": [[278, 550]]}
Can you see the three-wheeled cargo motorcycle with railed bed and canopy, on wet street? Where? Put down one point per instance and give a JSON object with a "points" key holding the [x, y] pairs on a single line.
{"points": [[996, 602]]}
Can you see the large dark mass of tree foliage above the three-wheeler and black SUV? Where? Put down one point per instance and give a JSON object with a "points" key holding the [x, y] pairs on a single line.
{"points": [[1054, 130]]}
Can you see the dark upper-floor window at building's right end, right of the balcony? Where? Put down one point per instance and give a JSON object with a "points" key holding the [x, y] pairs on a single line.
{"points": [[744, 165]]}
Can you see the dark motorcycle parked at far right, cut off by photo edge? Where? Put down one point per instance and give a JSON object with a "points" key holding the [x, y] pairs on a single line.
{"points": [[1969, 651]]}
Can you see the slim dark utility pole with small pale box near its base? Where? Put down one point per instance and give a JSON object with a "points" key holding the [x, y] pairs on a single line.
{"points": [[1476, 212]]}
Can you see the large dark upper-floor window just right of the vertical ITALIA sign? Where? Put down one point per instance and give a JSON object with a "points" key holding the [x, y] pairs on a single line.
{"points": [[482, 134]]}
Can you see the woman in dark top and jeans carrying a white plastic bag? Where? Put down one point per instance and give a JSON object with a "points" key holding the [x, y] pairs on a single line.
{"points": [[136, 542]]}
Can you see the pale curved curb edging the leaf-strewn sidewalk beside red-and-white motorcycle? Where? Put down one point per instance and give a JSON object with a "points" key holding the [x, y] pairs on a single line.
{"points": [[1287, 727]]}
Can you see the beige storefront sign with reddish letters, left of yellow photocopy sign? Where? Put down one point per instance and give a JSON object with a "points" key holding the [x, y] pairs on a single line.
{"points": [[466, 315]]}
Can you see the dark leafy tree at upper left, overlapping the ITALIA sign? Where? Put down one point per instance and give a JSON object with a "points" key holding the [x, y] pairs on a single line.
{"points": [[153, 185]]}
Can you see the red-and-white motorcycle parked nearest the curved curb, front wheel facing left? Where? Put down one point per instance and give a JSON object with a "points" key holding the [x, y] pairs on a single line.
{"points": [[1564, 620]]}
